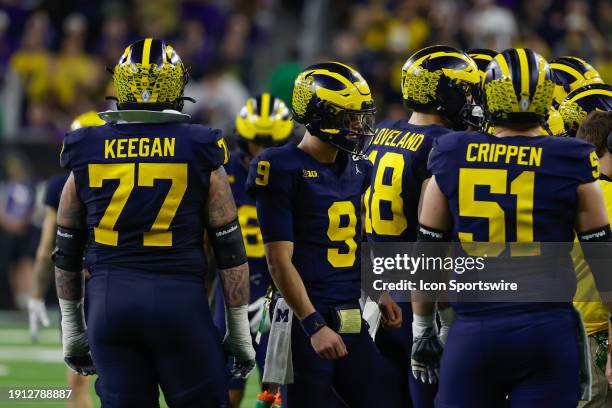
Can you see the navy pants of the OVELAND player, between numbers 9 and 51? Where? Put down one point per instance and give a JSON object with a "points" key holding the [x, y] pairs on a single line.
{"points": [[396, 346]]}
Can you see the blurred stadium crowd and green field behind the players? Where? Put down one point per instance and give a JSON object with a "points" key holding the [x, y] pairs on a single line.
{"points": [[53, 56]]}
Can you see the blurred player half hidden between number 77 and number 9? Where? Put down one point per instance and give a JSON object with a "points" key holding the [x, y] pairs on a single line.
{"points": [[264, 121]]}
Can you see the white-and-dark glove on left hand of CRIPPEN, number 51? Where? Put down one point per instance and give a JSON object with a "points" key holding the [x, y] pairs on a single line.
{"points": [[426, 349]]}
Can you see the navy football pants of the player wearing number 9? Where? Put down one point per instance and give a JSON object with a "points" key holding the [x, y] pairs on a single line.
{"points": [[362, 379]]}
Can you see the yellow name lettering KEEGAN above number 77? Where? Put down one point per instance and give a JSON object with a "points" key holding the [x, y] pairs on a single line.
{"points": [[139, 147]]}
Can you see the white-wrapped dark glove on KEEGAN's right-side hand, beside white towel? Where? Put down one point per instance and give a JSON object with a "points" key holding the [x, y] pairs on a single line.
{"points": [[237, 342]]}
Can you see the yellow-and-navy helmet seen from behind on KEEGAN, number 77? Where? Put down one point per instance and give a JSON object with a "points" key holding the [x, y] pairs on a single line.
{"points": [[151, 76]]}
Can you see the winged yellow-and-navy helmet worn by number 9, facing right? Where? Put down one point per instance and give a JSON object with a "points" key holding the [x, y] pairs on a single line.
{"points": [[335, 104]]}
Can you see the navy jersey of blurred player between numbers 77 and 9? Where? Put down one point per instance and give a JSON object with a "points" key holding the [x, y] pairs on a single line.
{"points": [[237, 172]]}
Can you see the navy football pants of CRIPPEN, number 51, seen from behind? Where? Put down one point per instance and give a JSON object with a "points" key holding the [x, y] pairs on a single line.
{"points": [[532, 357]]}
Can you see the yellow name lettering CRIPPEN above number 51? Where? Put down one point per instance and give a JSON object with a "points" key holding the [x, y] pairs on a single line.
{"points": [[493, 153]]}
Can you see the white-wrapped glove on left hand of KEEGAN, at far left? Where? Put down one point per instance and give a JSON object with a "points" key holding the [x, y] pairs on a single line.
{"points": [[74, 337]]}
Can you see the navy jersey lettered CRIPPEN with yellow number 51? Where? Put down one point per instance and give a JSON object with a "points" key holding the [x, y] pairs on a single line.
{"points": [[512, 189]]}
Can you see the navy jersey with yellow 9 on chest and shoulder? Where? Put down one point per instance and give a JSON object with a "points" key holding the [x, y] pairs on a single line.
{"points": [[316, 206]]}
